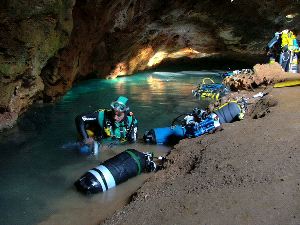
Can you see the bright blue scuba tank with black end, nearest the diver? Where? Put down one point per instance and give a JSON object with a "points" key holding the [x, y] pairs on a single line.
{"points": [[164, 135]]}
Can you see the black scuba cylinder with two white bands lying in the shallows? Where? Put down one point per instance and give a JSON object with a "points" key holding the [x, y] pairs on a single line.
{"points": [[112, 172]]}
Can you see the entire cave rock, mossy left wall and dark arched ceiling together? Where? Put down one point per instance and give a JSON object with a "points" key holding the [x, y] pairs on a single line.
{"points": [[45, 46]]}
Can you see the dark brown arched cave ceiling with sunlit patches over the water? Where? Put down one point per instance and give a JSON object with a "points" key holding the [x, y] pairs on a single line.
{"points": [[115, 38]]}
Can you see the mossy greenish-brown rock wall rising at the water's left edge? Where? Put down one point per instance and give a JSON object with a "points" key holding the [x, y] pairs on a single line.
{"points": [[31, 32]]}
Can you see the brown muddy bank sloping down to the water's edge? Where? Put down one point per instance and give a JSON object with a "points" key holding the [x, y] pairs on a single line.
{"points": [[248, 173]]}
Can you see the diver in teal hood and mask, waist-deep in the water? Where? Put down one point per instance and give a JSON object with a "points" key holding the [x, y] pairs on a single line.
{"points": [[117, 123]]}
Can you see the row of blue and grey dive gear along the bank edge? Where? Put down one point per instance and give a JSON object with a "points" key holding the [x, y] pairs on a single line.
{"points": [[197, 123]]}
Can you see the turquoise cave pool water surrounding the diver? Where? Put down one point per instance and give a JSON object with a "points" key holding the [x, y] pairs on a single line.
{"points": [[37, 174]]}
